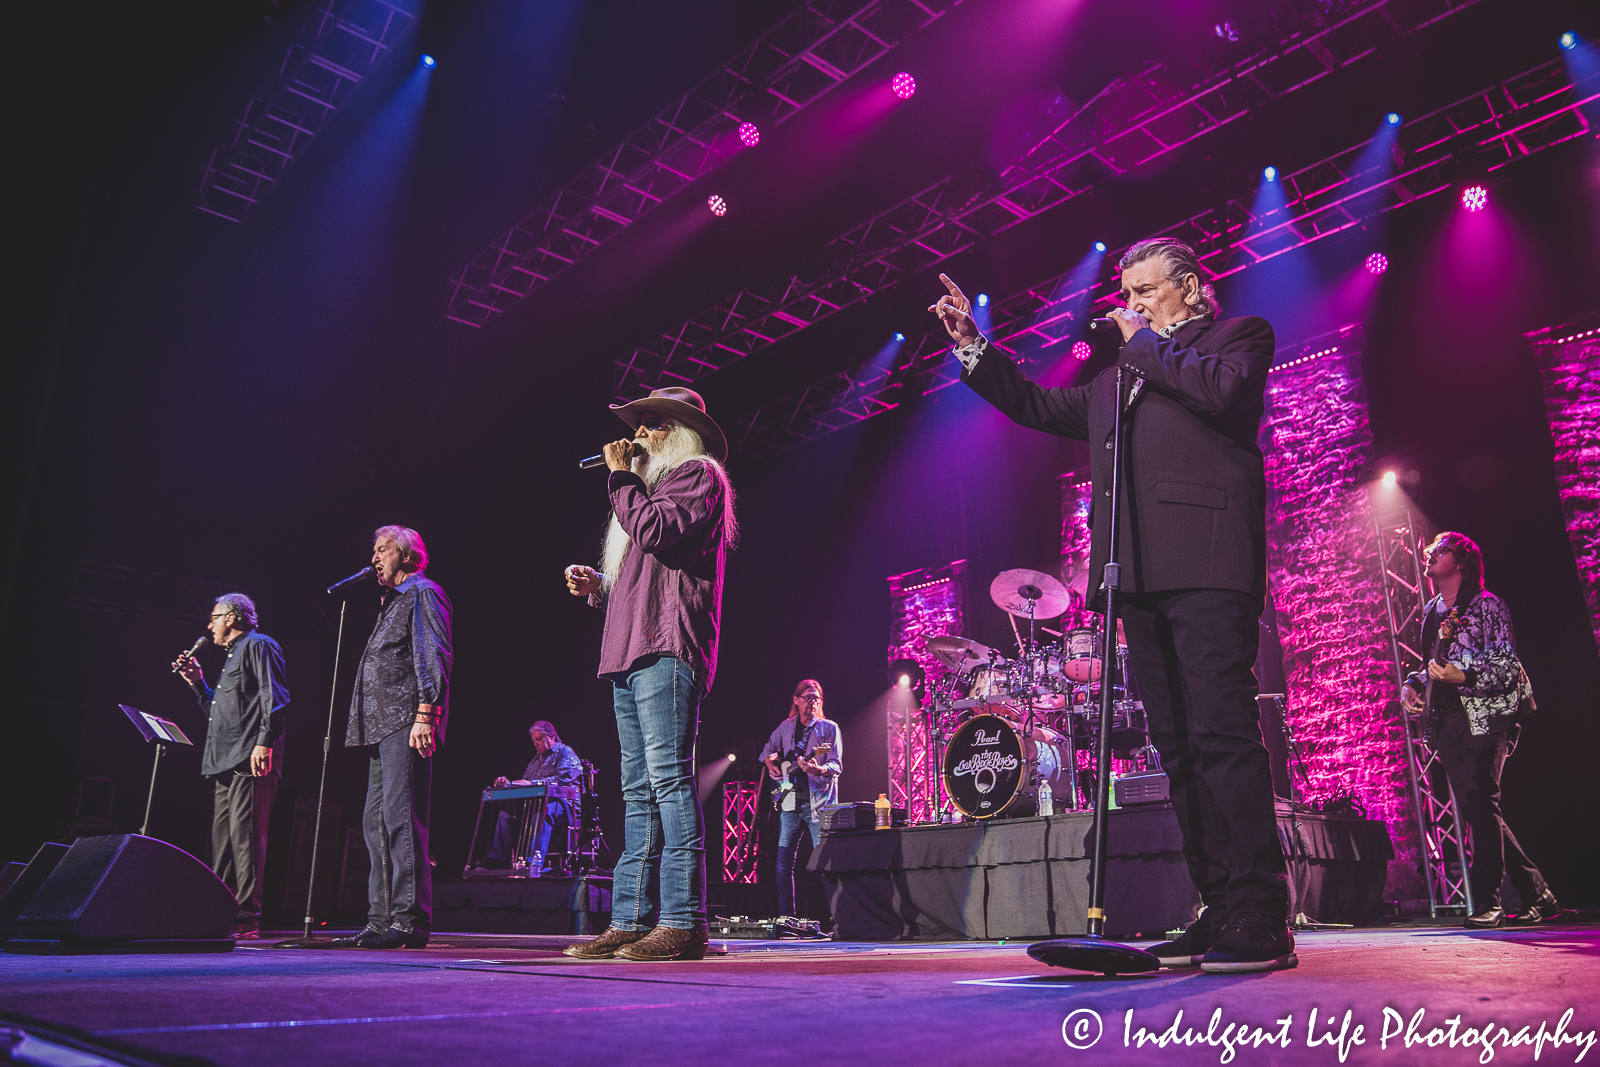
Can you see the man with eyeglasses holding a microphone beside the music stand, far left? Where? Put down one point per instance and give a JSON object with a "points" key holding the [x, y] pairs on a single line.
{"points": [[244, 749]]}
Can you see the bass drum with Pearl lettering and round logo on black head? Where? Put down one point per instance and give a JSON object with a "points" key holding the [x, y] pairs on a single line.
{"points": [[991, 767]]}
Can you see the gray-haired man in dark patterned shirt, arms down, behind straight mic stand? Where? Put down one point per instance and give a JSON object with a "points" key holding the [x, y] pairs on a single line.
{"points": [[399, 713]]}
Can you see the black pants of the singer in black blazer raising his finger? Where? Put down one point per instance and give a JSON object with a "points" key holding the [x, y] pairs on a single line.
{"points": [[1193, 655]]}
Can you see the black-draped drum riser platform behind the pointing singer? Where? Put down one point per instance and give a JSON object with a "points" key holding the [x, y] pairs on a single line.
{"points": [[1031, 877]]}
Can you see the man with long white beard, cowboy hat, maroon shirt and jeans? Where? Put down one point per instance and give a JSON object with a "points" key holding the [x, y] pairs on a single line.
{"points": [[660, 585]]}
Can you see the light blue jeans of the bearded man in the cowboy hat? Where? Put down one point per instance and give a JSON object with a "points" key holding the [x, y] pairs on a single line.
{"points": [[662, 877]]}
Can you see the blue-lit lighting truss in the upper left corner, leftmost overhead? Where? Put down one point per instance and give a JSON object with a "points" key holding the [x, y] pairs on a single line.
{"points": [[338, 49]]}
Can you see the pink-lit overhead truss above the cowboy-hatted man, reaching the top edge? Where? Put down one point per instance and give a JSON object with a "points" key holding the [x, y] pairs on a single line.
{"points": [[786, 70]]}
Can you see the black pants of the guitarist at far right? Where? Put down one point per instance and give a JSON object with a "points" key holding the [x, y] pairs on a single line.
{"points": [[1474, 767]]}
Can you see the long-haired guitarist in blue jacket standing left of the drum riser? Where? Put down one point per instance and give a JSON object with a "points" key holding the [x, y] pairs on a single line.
{"points": [[804, 753]]}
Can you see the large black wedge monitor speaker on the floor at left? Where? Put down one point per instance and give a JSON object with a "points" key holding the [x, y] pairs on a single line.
{"points": [[129, 889]]}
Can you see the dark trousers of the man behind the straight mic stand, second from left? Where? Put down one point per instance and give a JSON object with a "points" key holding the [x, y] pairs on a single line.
{"points": [[401, 887]]}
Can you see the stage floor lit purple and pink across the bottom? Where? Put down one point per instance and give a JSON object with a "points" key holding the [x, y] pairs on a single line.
{"points": [[497, 999]]}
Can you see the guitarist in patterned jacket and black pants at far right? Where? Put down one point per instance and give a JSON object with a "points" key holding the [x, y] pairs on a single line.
{"points": [[1474, 692]]}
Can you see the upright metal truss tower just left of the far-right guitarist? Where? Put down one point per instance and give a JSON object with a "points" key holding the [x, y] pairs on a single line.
{"points": [[1446, 850]]}
